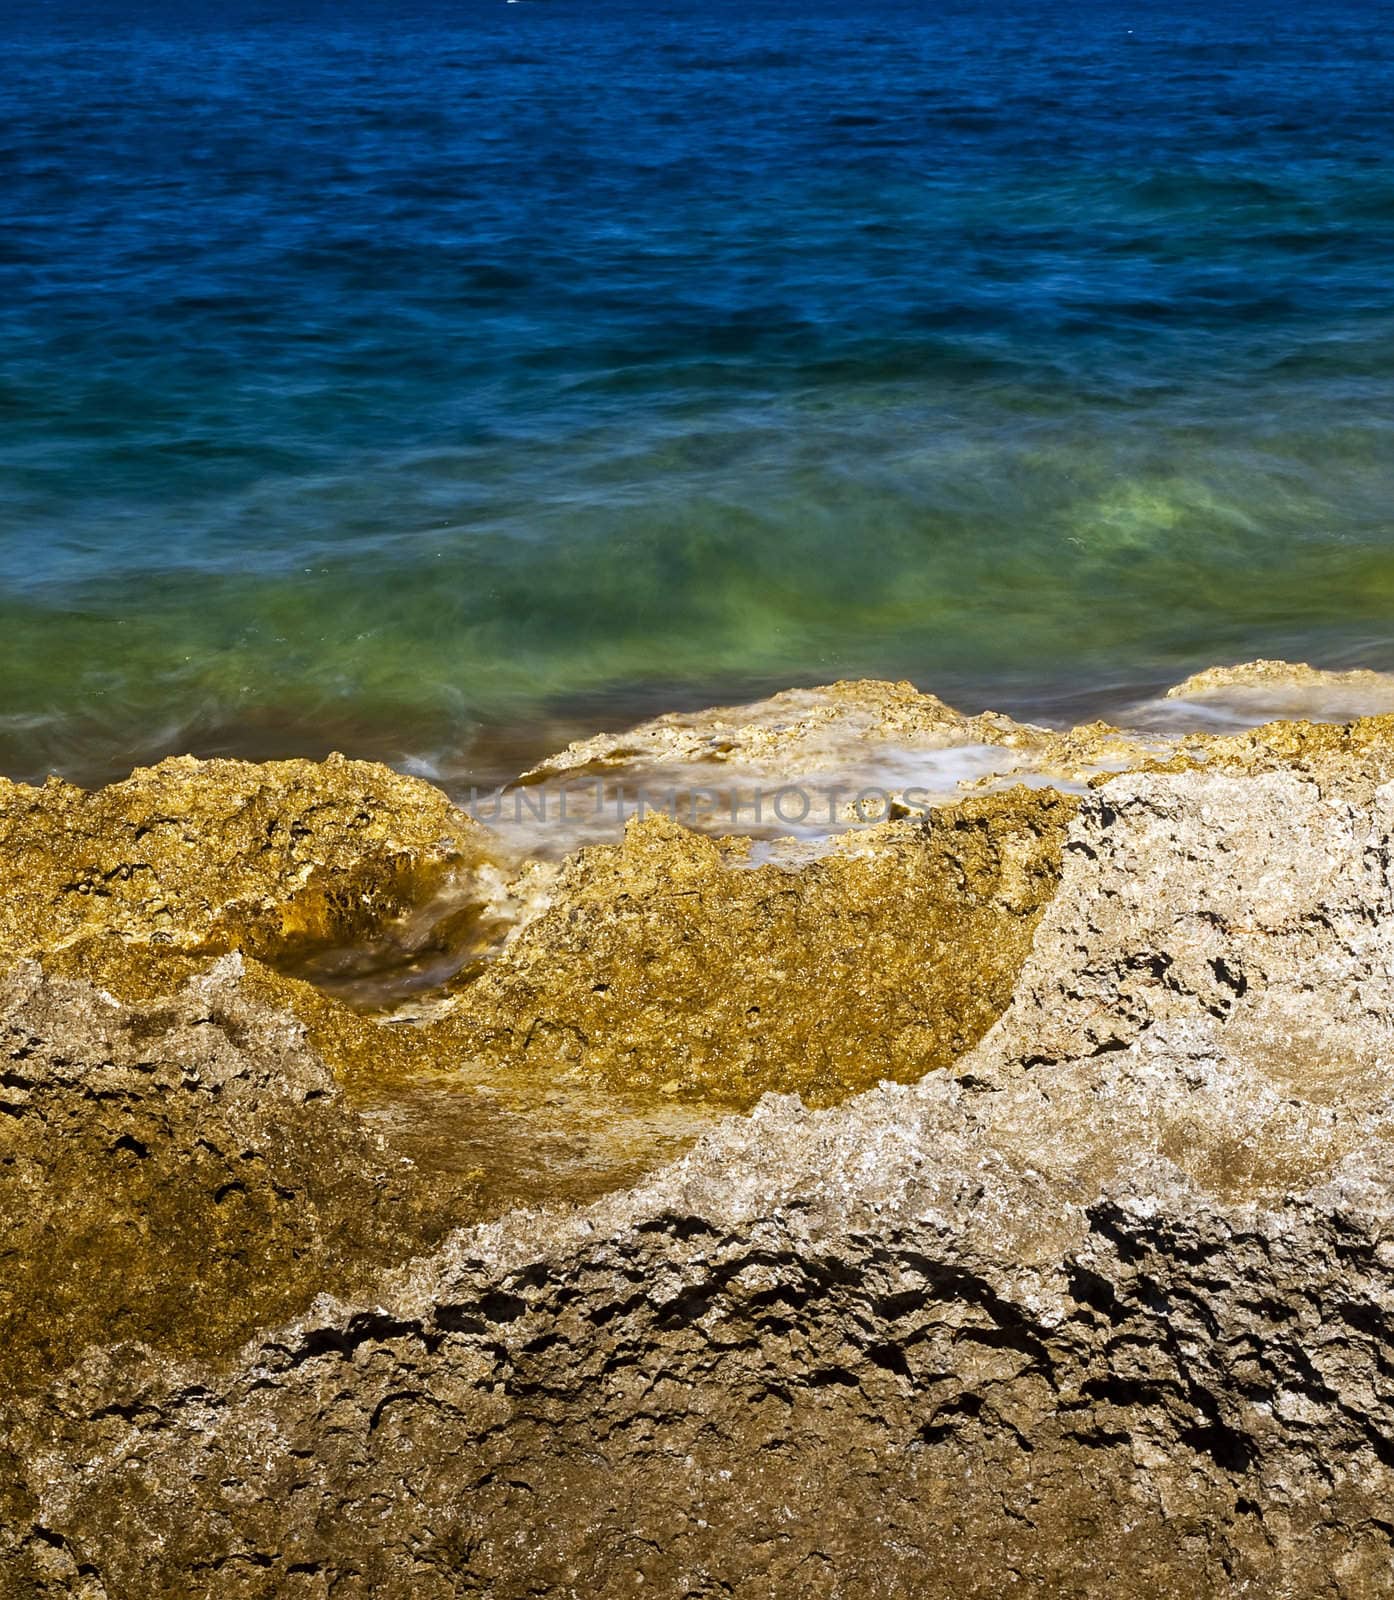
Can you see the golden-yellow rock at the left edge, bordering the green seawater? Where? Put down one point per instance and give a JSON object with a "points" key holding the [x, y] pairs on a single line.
{"points": [[209, 857]]}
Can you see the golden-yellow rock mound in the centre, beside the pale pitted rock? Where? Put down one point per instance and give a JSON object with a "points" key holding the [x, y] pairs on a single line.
{"points": [[673, 961]]}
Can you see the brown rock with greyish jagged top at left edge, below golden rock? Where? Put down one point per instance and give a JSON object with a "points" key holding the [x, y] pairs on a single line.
{"points": [[177, 1175]]}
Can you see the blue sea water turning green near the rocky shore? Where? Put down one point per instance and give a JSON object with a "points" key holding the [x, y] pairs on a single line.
{"points": [[387, 378]]}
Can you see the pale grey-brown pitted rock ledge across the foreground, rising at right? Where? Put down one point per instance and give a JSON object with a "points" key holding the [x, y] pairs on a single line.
{"points": [[1104, 1310]]}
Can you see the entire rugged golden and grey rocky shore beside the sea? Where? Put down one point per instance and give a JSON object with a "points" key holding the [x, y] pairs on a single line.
{"points": [[995, 1199]]}
